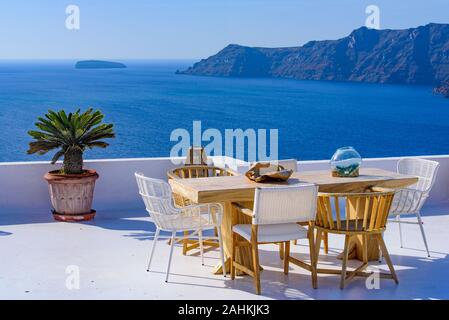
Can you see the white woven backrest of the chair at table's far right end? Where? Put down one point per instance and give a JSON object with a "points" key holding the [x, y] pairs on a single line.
{"points": [[426, 170]]}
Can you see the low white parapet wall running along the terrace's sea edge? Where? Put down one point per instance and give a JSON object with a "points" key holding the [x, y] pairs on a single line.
{"points": [[23, 192]]}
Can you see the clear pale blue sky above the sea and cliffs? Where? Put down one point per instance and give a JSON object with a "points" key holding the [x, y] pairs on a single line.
{"points": [[190, 29]]}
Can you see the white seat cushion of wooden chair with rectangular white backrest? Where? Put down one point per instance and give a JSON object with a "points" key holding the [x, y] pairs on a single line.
{"points": [[273, 232]]}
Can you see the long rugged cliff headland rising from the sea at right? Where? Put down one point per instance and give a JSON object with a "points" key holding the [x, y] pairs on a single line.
{"points": [[412, 56]]}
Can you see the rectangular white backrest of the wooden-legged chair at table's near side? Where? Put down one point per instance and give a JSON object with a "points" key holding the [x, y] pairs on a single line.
{"points": [[289, 204]]}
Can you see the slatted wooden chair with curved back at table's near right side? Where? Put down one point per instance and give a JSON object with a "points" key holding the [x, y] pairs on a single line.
{"points": [[364, 215]]}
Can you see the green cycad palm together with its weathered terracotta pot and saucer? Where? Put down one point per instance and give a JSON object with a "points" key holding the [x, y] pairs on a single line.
{"points": [[72, 187]]}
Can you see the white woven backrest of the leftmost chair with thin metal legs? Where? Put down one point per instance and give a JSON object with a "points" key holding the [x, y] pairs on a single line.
{"points": [[157, 196]]}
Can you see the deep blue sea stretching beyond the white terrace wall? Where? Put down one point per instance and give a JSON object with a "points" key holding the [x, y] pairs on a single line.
{"points": [[148, 100]]}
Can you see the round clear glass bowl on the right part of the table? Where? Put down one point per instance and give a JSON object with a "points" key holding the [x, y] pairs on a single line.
{"points": [[346, 162]]}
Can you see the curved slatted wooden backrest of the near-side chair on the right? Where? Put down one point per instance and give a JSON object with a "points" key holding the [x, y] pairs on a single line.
{"points": [[354, 212]]}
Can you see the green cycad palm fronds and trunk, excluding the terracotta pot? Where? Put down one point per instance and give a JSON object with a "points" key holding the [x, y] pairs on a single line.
{"points": [[72, 134]]}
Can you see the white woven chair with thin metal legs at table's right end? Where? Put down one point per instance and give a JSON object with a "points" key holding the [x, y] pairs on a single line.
{"points": [[409, 201]]}
